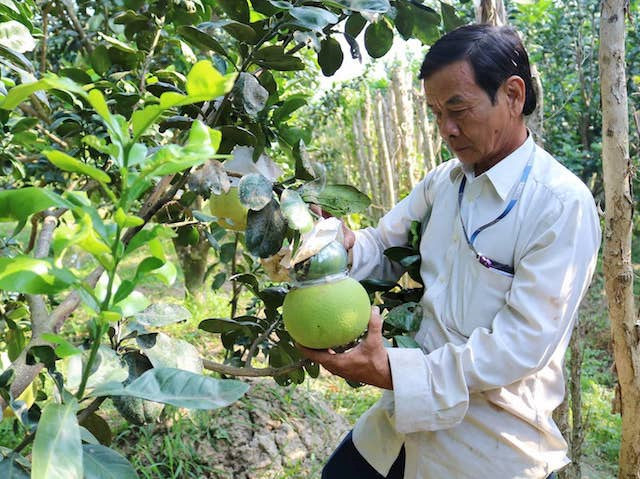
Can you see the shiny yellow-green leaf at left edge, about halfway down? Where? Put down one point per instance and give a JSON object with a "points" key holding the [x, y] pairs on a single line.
{"points": [[24, 274]]}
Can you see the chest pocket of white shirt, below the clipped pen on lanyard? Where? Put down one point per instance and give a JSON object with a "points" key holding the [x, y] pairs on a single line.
{"points": [[483, 295]]}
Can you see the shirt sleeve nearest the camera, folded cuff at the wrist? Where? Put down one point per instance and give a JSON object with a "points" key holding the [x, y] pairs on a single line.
{"points": [[553, 270]]}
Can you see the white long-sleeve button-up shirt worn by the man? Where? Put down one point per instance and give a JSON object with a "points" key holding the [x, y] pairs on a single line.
{"points": [[476, 399]]}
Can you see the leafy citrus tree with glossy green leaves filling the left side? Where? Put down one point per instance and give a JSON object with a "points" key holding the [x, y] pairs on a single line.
{"points": [[120, 119]]}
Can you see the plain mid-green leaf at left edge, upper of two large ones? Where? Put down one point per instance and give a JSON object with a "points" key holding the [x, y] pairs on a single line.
{"points": [[18, 205]]}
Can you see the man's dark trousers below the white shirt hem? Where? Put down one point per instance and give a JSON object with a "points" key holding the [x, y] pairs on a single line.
{"points": [[347, 463]]}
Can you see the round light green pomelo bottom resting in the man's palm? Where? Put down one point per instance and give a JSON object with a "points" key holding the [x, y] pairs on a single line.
{"points": [[326, 315]]}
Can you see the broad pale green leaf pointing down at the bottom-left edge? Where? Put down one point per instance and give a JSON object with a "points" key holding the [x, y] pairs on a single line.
{"points": [[57, 450]]}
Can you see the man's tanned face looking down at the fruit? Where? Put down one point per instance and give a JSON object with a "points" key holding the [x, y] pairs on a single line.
{"points": [[478, 132]]}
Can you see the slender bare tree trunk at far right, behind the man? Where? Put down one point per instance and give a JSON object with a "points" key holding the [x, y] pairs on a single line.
{"points": [[618, 272]]}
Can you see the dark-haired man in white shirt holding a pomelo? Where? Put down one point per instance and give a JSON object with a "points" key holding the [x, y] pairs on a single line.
{"points": [[508, 251]]}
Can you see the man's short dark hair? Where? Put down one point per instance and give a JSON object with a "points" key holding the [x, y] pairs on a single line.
{"points": [[494, 53]]}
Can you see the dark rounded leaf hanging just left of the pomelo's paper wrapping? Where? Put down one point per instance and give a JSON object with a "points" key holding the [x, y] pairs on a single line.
{"points": [[266, 230]]}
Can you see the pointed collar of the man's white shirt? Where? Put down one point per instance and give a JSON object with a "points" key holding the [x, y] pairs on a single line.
{"points": [[504, 174]]}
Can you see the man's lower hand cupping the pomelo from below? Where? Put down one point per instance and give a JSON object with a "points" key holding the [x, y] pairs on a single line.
{"points": [[367, 363]]}
